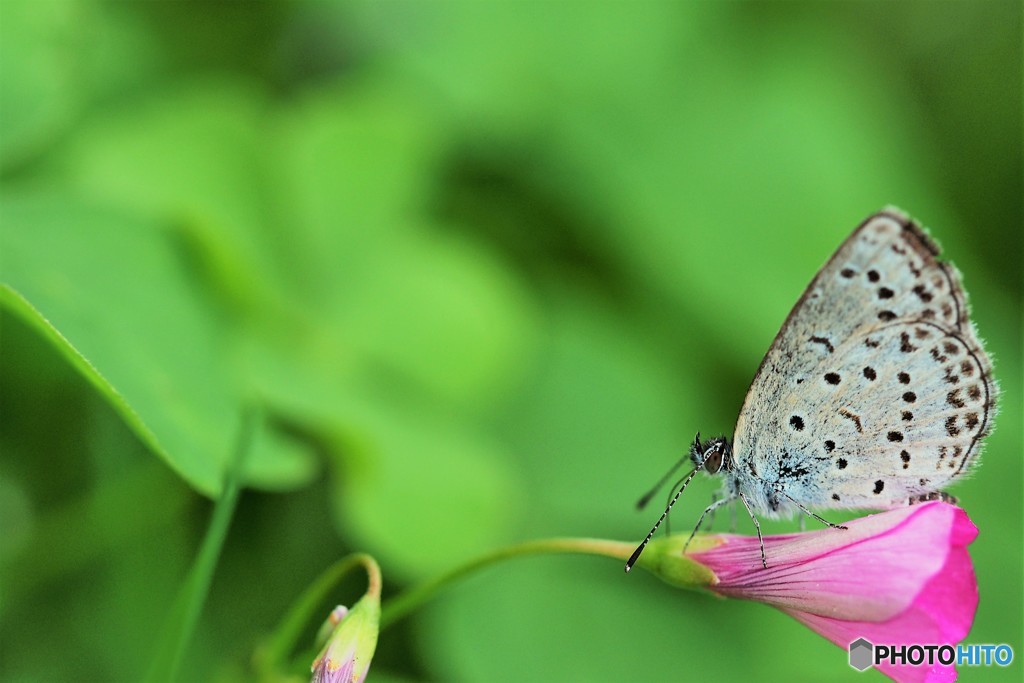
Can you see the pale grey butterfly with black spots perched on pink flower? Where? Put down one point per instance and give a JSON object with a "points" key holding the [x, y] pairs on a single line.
{"points": [[877, 393]]}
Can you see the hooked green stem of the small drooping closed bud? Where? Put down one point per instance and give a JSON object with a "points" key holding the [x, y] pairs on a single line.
{"points": [[275, 652]]}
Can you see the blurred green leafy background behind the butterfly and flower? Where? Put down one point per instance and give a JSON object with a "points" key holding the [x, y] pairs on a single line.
{"points": [[490, 267]]}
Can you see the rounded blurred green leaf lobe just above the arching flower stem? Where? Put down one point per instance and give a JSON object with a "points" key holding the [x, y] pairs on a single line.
{"points": [[421, 495]]}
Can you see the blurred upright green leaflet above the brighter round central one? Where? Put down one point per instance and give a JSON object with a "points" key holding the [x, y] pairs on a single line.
{"points": [[355, 164]]}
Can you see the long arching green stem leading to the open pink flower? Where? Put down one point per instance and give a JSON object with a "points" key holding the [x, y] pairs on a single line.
{"points": [[410, 601]]}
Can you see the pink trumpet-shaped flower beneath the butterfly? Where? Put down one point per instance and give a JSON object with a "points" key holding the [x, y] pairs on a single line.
{"points": [[902, 577]]}
